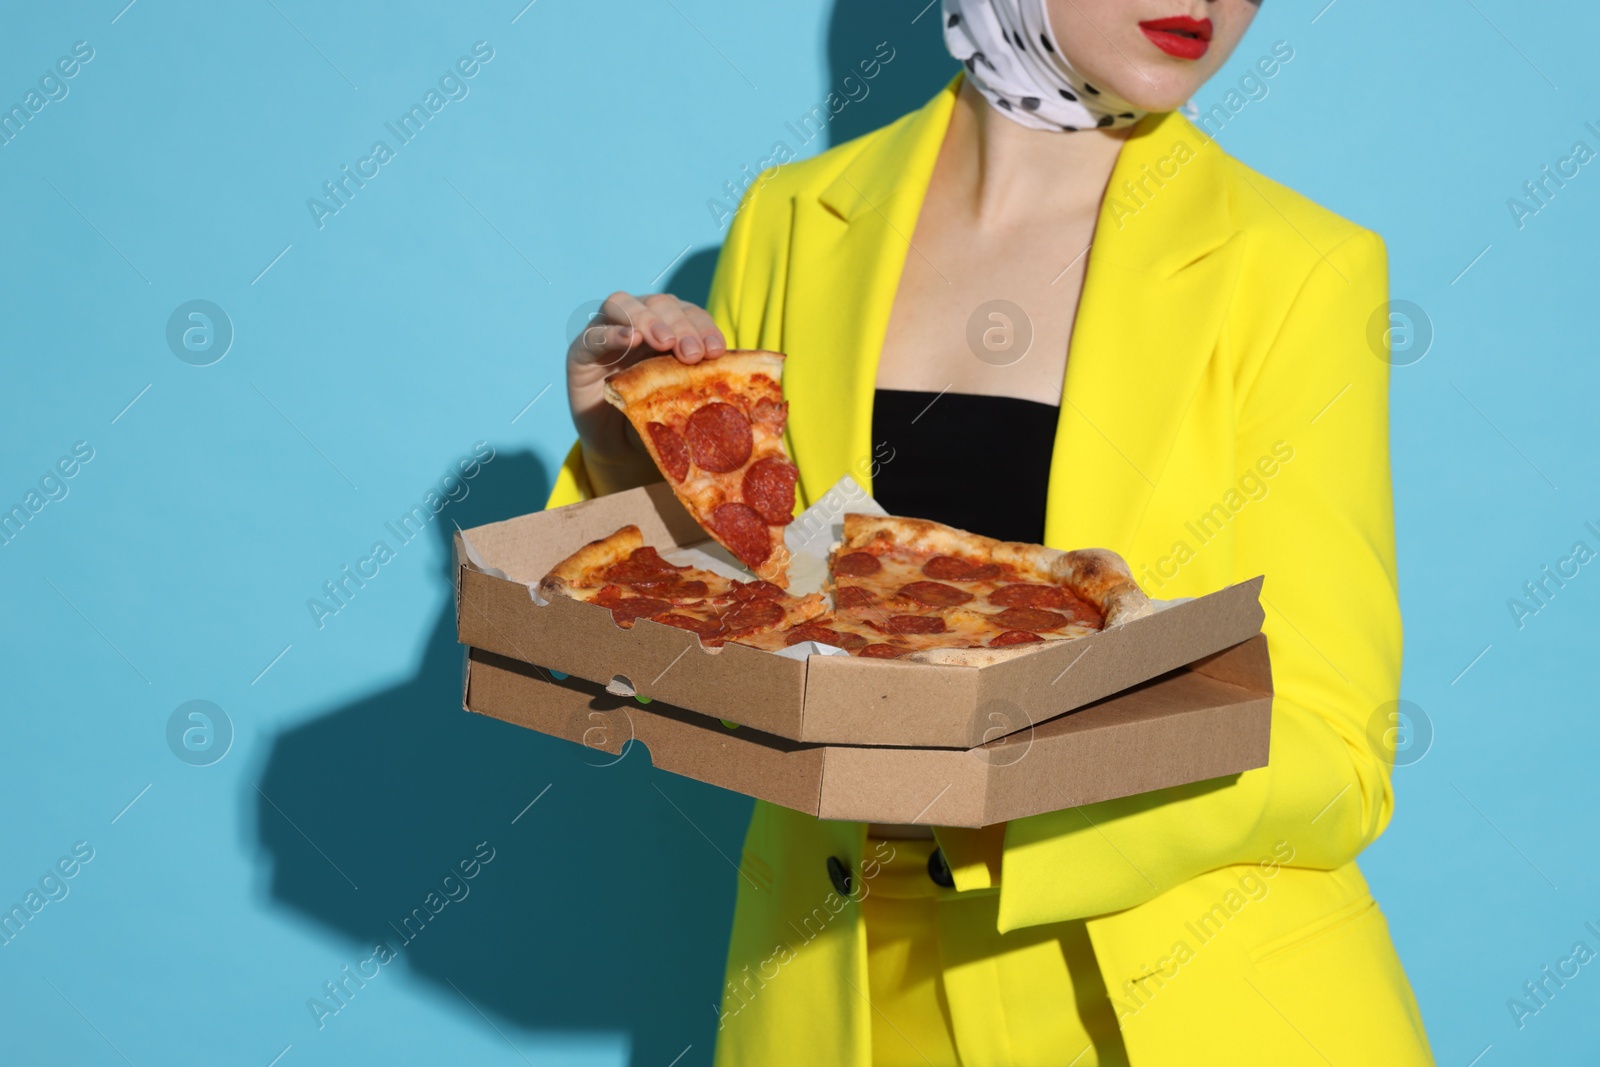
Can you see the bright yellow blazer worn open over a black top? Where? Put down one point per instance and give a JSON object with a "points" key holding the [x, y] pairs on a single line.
{"points": [[1225, 415]]}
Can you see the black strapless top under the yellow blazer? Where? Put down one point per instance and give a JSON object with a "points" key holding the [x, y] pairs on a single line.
{"points": [[967, 462]]}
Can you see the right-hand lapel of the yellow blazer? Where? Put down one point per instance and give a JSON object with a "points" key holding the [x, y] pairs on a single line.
{"points": [[1156, 294]]}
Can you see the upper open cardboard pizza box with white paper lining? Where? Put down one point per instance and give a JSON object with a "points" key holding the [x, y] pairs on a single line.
{"points": [[823, 700]]}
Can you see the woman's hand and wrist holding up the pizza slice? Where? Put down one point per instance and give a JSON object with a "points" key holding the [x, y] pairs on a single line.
{"points": [[626, 330]]}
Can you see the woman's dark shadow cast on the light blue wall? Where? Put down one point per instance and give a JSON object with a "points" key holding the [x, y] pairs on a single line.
{"points": [[606, 906]]}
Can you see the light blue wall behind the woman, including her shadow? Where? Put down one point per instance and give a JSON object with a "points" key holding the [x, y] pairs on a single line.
{"points": [[433, 310]]}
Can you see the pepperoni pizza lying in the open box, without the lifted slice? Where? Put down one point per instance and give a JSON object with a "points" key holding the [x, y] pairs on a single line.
{"points": [[903, 588]]}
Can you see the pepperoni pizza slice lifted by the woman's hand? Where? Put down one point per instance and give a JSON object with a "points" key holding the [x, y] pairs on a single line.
{"points": [[716, 433]]}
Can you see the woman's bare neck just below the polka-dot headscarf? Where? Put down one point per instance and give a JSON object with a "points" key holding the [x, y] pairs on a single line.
{"points": [[1010, 172]]}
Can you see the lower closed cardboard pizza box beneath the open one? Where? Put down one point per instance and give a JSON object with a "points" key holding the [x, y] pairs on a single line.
{"points": [[1201, 722]]}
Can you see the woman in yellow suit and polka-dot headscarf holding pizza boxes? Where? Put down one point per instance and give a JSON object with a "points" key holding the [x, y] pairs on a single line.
{"points": [[1182, 372]]}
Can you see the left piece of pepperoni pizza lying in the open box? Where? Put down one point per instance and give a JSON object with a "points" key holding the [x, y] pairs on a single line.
{"points": [[631, 580]]}
